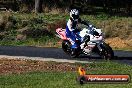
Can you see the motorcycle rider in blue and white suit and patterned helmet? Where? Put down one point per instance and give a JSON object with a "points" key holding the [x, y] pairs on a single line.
{"points": [[71, 28]]}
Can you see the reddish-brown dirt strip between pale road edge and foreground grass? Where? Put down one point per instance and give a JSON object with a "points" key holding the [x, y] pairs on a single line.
{"points": [[15, 66]]}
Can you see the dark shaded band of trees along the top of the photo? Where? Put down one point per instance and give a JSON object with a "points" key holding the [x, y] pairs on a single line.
{"points": [[85, 6]]}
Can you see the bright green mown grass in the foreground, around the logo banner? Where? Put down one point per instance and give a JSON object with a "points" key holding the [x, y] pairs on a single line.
{"points": [[65, 79]]}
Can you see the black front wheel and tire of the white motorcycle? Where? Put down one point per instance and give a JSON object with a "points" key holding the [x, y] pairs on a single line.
{"points": [[107, 52]]}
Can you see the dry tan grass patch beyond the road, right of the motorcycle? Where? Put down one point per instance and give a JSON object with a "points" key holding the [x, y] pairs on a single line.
{"points": [[119, 43]]}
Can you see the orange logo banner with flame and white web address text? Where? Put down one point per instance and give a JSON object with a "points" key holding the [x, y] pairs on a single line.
{"points": [[101, 78]]}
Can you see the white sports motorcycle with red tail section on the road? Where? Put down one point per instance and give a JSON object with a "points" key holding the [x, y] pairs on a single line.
{"points": [[91, 41]]}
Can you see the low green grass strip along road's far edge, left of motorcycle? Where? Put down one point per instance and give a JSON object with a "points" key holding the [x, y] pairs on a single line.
{"points": [[43, 41]]}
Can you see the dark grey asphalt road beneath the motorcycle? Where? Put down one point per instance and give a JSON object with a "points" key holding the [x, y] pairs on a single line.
{"points": [[57, 53]]}
